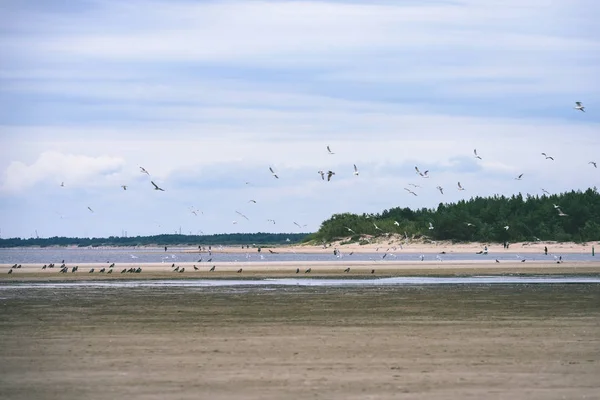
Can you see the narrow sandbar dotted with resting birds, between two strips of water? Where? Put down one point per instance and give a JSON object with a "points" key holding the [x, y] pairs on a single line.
{"points": [[288, 269]]}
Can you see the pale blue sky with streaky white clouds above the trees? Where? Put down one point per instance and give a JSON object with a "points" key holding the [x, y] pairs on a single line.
{"points": [[207, 95]]}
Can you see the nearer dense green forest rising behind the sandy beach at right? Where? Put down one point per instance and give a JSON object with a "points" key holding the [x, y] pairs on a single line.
{"points": [[479, 219]]}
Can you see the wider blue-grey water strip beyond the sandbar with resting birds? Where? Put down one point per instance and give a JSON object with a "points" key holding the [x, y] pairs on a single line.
{"points": [[94, 255]]}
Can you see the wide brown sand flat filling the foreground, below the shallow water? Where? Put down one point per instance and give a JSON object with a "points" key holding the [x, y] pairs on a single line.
{"points": [[448, 342]]}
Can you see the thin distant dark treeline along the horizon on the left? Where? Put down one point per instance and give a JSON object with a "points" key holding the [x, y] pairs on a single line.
{"points": [[259, 239]]}
